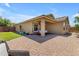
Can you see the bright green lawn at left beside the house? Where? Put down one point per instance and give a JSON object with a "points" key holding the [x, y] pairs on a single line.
{"points": [[6, 36]]}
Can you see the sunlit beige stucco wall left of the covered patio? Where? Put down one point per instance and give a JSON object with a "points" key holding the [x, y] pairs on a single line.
{"points": [[26, 27]]}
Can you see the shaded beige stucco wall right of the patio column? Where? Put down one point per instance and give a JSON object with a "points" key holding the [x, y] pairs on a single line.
{"points": [[55, 28]]}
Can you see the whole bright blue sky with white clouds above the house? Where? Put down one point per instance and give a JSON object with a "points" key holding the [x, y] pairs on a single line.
{"points": [[18, 12]]}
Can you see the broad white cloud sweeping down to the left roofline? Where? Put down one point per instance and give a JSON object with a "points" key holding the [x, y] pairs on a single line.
{"points": [[14, 17]]}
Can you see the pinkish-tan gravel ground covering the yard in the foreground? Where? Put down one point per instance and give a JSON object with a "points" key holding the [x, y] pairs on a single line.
{"points": [[56, 45]]}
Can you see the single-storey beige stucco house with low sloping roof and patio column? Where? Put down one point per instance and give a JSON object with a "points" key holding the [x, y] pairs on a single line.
{"points": [[44, 24]]}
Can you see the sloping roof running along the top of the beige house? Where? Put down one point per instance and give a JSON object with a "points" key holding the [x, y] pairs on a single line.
{"points": [[49, 16]]}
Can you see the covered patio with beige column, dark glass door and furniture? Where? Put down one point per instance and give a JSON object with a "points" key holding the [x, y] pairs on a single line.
{"points": [[43, 26]]}
